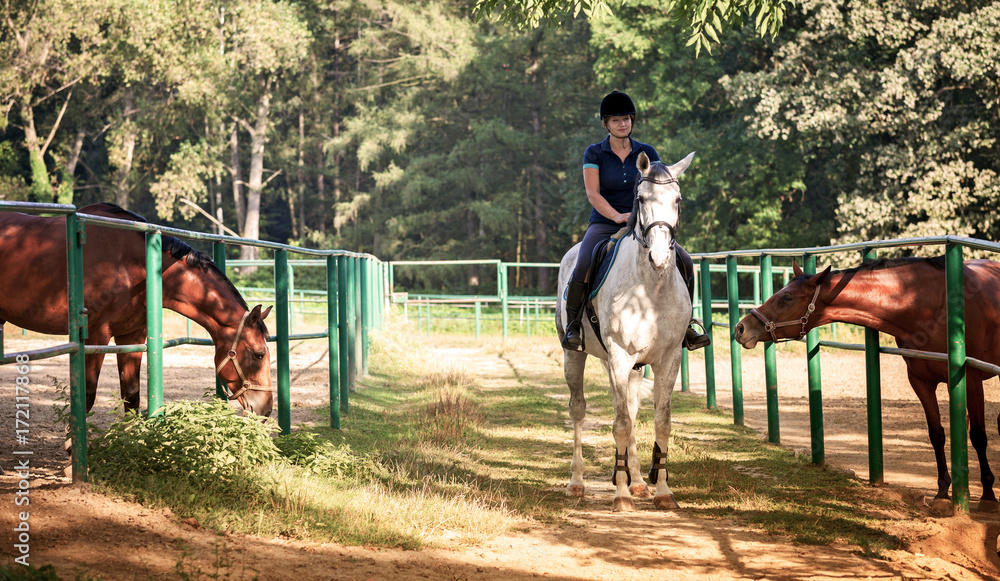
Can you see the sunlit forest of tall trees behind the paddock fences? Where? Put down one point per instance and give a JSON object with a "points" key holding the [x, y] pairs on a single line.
{"points": [[413, 130]]}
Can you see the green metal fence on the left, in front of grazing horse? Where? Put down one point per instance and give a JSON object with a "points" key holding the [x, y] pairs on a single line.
{"points": [[357, 289]]}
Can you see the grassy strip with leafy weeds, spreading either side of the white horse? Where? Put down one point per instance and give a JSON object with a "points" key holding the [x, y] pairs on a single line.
{"points": [[435, 452]]}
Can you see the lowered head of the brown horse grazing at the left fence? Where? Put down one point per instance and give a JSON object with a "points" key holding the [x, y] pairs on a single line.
{"points": [[243, 362]]}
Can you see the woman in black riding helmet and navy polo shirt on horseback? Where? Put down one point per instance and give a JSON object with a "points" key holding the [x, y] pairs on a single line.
{"points": [[609, 172]]}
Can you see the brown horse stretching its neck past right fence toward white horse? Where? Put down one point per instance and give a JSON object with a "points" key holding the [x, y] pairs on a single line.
{"points": [[905, 298]]}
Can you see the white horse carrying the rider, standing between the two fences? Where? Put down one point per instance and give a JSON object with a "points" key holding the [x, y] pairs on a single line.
{"points": [[643, 309]]}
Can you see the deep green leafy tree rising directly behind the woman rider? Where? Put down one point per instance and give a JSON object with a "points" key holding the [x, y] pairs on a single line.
{"points": [[740, 190]]}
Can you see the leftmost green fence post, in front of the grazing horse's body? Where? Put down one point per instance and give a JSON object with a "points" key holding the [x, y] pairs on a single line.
{"points": [[77, 334]]}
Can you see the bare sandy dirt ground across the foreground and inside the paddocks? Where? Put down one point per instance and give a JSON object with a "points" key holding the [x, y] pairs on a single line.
{"points": [[74, 529]]}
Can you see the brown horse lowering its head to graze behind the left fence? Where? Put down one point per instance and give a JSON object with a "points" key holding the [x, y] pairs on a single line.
{"points": [[33, 295]]}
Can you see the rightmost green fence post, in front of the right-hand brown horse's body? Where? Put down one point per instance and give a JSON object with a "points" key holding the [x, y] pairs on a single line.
{"points": [[955, 277]]}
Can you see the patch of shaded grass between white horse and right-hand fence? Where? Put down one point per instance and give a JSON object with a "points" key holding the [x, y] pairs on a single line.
{"points": [[720, 470]]}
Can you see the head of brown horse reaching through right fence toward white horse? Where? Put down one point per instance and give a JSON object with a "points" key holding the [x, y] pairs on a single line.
{"points": [[785, 316]]}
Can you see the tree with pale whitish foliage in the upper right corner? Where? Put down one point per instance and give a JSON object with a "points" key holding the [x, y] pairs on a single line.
{"points": [[893, 106]]}
